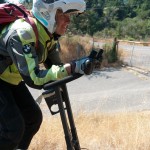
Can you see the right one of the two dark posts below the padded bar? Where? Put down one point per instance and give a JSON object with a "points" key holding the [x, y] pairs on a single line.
{"points": [[70, 117]]}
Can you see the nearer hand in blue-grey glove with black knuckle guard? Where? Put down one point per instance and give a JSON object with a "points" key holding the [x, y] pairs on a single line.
{"points": [[82, 66]]}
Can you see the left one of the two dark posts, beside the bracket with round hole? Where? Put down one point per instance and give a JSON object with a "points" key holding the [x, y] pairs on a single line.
{"points": [[68, 137]]}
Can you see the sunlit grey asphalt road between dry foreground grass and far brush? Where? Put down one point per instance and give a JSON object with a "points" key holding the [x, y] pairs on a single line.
{"points": [[107, 91]]}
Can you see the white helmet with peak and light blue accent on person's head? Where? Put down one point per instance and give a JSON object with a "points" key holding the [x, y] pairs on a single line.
{"points": [[45, 10]]}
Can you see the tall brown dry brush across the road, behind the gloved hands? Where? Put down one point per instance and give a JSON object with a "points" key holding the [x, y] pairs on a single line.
{"points": [[76, 47]]}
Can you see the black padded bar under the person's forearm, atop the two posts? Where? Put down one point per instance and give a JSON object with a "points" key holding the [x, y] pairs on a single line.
{"points": [[63, 81]]}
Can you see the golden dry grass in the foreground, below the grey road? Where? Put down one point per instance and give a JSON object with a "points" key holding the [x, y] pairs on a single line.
{"points": [[124, 131]]}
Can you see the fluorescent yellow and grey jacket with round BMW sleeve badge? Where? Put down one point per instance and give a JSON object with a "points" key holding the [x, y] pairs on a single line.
{"points": [[19, 59]]}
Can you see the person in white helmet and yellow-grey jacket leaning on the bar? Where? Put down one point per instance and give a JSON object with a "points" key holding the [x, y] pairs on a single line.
{"points": [[20, 116]]}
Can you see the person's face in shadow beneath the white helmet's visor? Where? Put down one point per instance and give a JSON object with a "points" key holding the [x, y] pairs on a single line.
{"points": [[62, 22]]}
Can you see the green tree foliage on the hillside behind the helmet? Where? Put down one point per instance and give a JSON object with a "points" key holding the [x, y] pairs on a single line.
{"points": [[120, 18]]}
